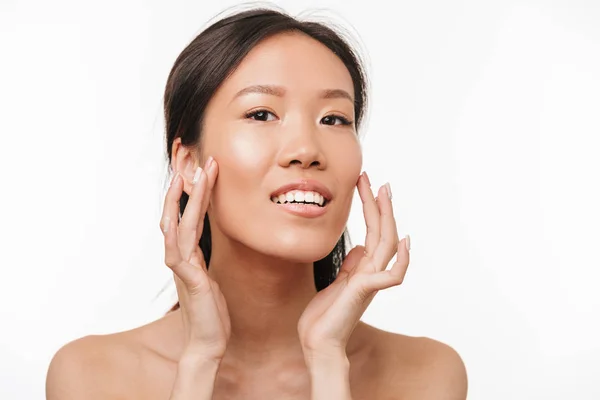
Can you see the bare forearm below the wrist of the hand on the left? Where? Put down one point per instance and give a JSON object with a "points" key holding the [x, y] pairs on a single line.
{"points": [[195, 378]]}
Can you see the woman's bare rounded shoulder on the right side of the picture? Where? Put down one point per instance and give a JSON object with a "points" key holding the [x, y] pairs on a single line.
{"points": [[418, 368]]}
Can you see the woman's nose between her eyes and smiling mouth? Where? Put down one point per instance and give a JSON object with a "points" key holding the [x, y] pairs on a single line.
{"points": [[301, 147]]}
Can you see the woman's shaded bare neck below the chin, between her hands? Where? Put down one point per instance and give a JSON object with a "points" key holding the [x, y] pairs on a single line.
{"points": [[265, 298]]}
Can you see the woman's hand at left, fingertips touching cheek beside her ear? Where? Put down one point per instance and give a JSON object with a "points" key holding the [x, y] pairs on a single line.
{"points": [[206, 320]]}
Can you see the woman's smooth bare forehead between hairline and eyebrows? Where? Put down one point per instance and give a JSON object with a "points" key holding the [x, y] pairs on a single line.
{"points": [[294, 60]]}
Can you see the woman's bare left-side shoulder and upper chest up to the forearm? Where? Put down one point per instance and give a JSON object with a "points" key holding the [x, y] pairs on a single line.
{"points": [[137, 363]]}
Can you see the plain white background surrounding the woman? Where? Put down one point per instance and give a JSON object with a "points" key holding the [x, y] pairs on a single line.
{"points": [[484, 118]]}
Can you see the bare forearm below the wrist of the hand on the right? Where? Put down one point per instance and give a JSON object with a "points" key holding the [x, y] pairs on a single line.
{"points": [[330, 378]]}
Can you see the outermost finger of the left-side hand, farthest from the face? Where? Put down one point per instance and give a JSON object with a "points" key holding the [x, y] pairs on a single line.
{"points": [[168, 224]]}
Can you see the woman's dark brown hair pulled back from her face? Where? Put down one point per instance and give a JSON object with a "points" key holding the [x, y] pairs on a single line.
{"points": [[210, 58]]}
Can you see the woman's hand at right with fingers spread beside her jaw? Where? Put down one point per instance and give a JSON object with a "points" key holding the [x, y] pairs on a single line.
{"points": [[329, 319]]}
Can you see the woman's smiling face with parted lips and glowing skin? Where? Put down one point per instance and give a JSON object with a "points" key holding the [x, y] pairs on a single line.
{"points": [[278, 120]]}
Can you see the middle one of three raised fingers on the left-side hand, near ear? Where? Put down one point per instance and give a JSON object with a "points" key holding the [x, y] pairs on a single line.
{"points": [[188, 226]]}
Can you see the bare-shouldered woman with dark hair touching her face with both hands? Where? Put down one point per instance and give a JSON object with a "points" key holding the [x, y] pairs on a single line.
{"points": [[262, 112]]}
